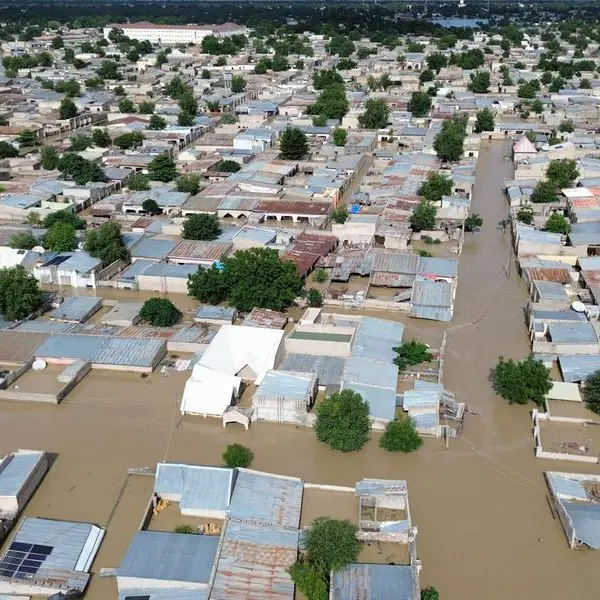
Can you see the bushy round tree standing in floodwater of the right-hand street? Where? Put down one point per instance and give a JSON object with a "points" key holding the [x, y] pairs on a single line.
{"points": [[520, 382]]}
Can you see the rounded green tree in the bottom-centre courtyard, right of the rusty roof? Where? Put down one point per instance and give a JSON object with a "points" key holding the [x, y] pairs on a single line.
{"points": [[331, 544]]}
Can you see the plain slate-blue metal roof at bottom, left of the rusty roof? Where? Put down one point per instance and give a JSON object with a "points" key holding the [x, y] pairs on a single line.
{"points": [[170, 557]]}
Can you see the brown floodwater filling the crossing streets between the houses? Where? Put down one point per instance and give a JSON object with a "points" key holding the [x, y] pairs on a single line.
{"points": [[485, 530]]}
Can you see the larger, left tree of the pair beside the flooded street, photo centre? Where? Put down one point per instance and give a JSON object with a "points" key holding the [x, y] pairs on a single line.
{"points": [[343, 421]]}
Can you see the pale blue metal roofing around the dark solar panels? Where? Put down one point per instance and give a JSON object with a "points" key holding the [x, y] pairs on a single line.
{"points": [[67, 538]]}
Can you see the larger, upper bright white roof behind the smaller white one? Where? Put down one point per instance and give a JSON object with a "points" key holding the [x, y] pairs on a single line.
{"points": [[235, 347]]}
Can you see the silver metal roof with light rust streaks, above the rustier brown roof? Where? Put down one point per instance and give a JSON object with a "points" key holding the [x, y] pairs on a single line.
{"points": [[267, 499]]}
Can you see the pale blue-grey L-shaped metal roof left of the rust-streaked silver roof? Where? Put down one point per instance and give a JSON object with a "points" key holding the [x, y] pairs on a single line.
{"points": [[196, 487]]}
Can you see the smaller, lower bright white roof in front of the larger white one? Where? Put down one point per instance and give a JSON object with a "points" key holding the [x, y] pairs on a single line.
{"points": [[209, 392]]}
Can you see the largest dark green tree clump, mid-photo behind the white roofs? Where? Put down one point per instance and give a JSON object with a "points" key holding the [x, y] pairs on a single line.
{"points": [[250, 278]]}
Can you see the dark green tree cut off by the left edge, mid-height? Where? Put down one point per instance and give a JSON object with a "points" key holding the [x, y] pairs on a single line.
{"points": [[20, 295]]}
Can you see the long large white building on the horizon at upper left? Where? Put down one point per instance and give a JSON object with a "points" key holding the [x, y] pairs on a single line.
{"points": [[173, 34]]}
